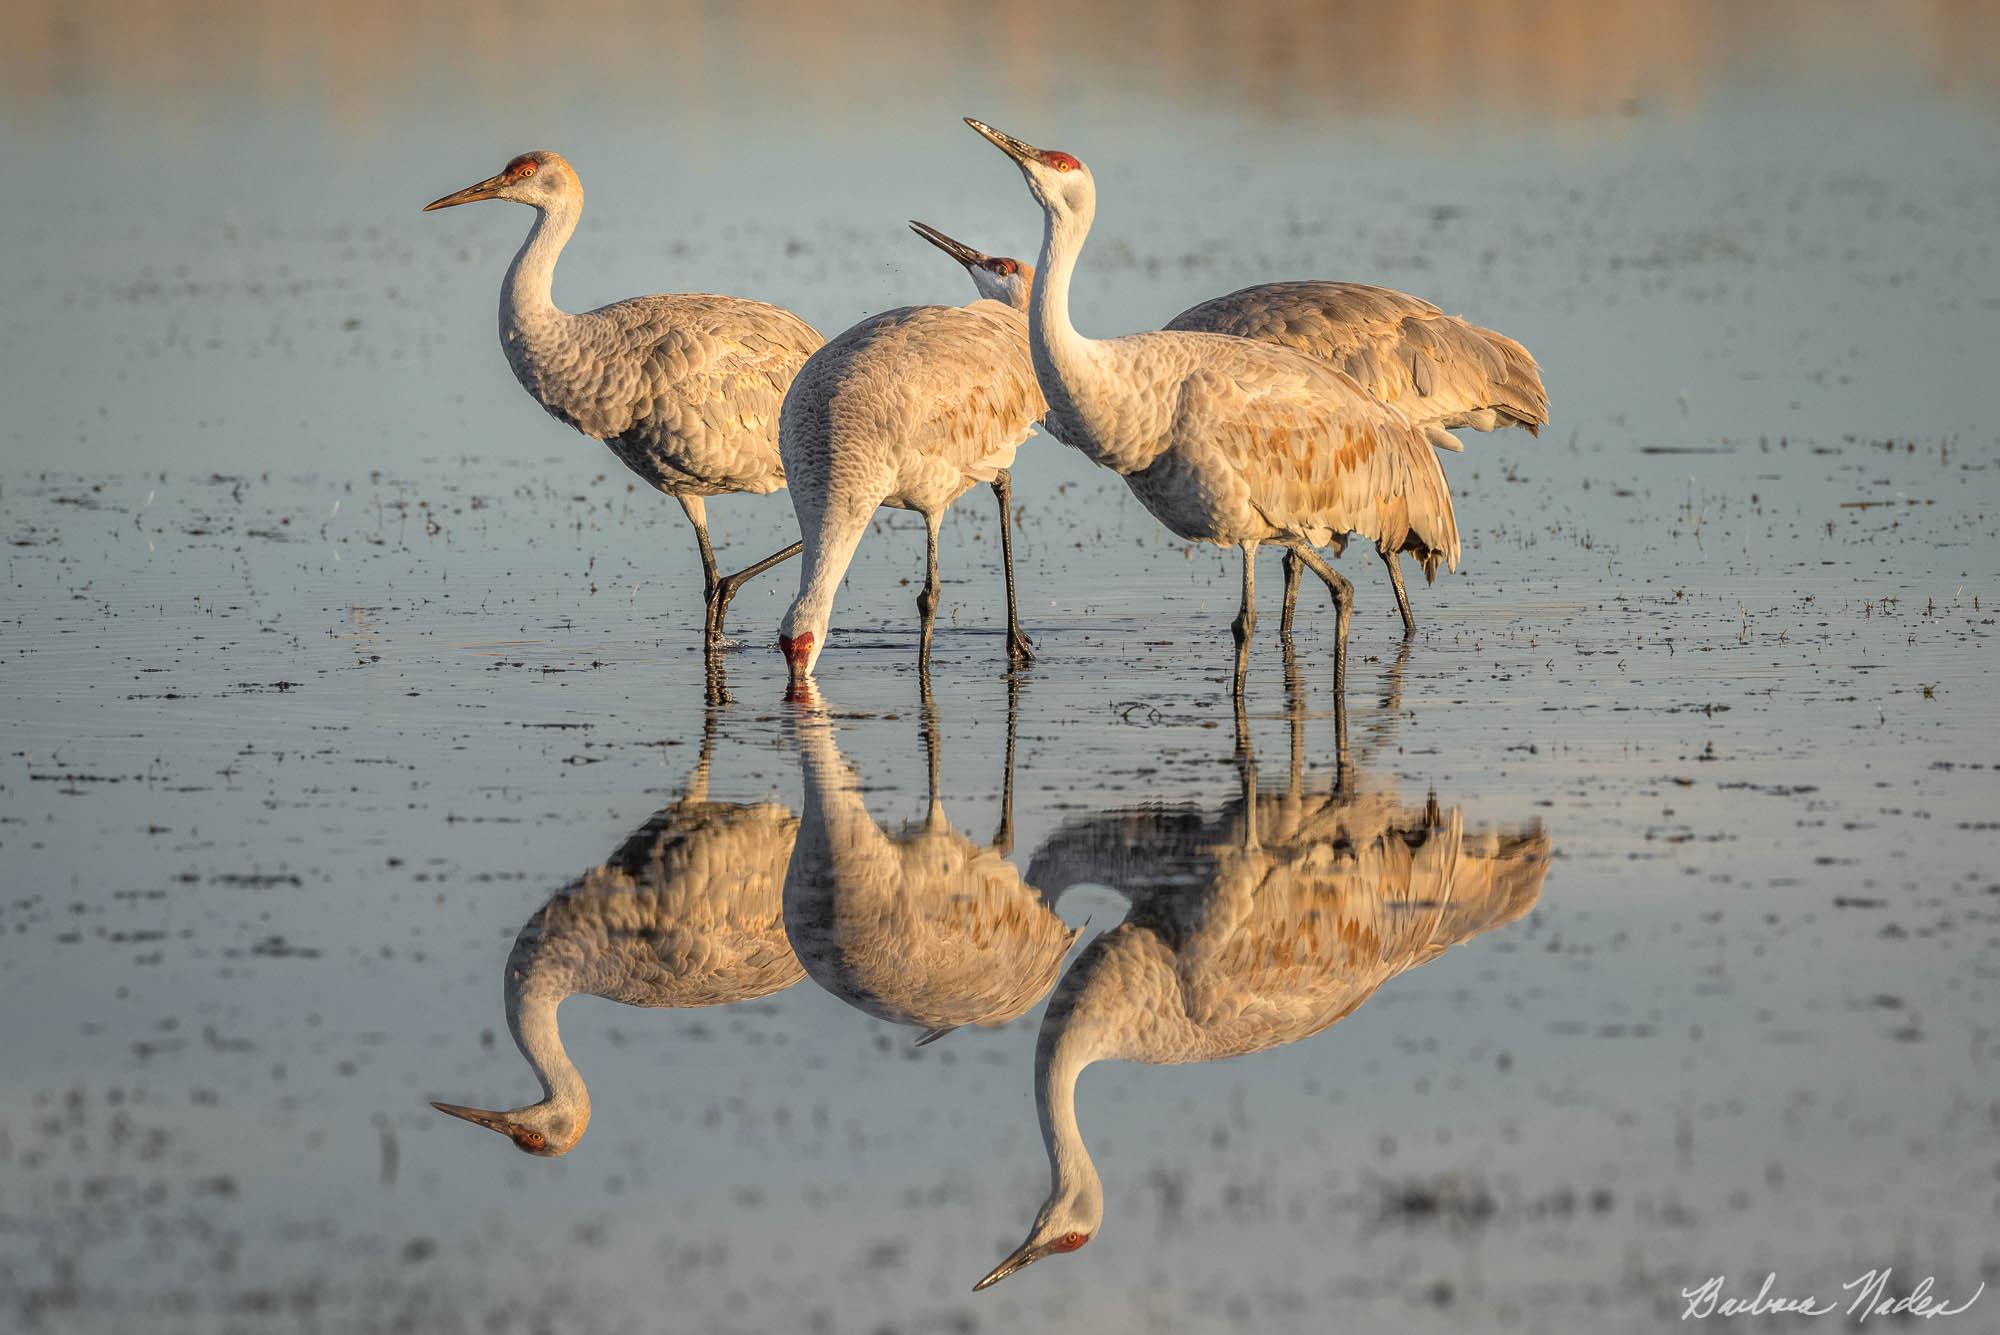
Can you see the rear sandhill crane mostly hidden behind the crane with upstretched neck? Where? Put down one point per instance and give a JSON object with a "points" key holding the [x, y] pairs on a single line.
{"points": [[1443, 371]]}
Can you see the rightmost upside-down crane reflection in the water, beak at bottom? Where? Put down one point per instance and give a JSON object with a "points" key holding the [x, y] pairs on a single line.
{"points": [[1249, 930]]}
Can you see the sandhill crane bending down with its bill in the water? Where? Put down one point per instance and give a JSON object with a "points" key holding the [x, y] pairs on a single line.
{"points": [[909, 409]]}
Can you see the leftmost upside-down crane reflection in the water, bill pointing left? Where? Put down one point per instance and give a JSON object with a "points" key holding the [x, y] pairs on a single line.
{"points": [[687, 912]]}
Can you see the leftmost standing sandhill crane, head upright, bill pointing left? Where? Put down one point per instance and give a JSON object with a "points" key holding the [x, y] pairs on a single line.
{"points": [[685, 389]]}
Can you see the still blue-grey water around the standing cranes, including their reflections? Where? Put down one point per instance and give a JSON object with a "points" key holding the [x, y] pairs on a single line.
{"points": [[1643, 932]]}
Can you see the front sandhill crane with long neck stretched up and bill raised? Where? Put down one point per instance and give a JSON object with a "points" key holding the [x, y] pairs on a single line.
{"points": [[1223, 439]]}
